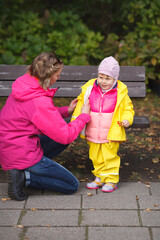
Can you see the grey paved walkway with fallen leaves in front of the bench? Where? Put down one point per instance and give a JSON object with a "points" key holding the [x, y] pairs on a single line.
{"points": [[131, 212]]}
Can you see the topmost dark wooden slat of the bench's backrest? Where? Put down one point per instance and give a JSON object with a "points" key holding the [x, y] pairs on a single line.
{"points": [[76, 73]]}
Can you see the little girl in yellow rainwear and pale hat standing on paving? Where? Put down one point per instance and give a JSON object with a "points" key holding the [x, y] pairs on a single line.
{"points": [[111, 110]]}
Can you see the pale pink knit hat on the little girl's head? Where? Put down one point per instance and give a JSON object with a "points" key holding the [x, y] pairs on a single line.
{"points": [[109, 66]]}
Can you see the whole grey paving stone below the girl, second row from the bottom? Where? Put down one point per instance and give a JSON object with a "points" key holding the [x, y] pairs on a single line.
{"points": [[109, 218]]}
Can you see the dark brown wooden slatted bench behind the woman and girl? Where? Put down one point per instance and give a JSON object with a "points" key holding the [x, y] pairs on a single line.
{"points": [[73, 77]]}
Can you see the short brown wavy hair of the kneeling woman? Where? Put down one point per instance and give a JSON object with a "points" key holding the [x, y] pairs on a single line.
{"points": [[44, 66]]}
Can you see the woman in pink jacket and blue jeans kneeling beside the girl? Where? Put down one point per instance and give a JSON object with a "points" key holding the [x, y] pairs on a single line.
{"points": [[32, 130]]}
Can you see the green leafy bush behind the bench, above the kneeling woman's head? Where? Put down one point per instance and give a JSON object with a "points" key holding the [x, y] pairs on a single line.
{"points": [[29, 35]]}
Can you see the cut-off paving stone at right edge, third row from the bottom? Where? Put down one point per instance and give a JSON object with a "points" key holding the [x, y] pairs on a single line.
{"points": [[152, 202]]}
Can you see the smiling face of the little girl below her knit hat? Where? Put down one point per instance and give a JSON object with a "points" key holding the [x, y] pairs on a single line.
{"points": [[105, 82]]}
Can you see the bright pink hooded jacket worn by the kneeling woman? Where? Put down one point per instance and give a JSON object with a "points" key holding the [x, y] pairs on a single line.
{"points": [[30, 111]]}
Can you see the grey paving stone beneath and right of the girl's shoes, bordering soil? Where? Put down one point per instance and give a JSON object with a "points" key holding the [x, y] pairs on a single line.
{"points": [[131, 188]]}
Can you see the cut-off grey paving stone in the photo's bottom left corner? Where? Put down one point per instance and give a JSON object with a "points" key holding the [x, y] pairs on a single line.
{"points": [[10, 233]]}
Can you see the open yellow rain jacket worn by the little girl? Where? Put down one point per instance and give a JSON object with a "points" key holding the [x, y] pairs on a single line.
{"points": [[123, 110]]}
